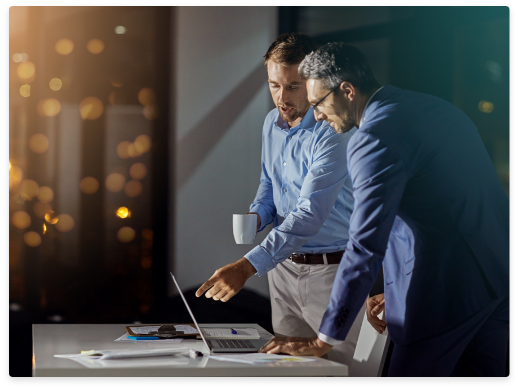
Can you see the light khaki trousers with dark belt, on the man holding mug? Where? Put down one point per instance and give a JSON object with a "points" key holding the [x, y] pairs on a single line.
{"points": [[300, 295]]}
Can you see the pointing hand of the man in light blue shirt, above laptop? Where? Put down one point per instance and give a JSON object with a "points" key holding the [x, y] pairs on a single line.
{"points": [[228, 281]]}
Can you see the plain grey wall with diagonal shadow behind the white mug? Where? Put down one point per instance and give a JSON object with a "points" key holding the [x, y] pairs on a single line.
{"points": [[222, 100]]}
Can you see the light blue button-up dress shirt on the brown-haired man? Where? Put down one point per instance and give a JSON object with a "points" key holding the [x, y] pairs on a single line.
{"points": [[305, 191]]}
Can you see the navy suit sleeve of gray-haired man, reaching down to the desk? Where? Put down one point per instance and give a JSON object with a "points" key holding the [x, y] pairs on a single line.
{"points": [[379, 179]]}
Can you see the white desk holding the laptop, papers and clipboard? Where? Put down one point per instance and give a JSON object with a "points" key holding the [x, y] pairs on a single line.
{"points": [[50, 340]]}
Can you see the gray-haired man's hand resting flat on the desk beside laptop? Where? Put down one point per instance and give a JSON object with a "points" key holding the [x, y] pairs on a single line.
{"points": [[314, 347]]}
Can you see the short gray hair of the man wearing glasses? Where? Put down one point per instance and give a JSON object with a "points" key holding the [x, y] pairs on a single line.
{"points": [[337, 62]]}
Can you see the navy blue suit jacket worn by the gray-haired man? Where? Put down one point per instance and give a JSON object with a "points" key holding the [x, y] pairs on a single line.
{"points": [[430, 208]]}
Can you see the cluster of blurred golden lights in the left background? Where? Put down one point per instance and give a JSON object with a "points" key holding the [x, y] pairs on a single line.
{"points": [[90, 108]]}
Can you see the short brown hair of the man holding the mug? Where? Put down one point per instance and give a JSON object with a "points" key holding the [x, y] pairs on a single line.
{"points": [[290, 49]]}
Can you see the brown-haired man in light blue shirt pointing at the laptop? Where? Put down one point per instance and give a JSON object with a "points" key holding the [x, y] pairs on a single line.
{"points": [[306, 193]]}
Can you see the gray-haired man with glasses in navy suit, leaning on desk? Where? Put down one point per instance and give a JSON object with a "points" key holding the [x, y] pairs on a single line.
{"points": [[430, 209]]}
